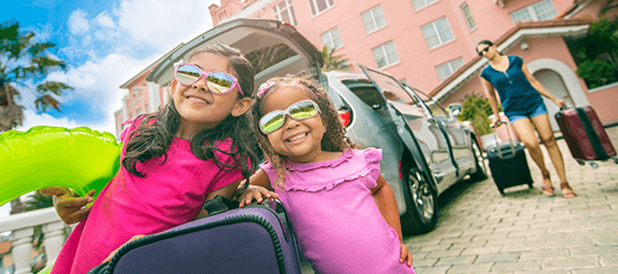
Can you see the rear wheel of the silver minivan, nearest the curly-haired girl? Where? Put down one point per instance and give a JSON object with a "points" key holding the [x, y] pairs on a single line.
{"points": [[421, 203]]}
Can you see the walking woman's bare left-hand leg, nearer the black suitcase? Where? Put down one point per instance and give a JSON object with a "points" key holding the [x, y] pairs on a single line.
{"points": [[525, 131]]}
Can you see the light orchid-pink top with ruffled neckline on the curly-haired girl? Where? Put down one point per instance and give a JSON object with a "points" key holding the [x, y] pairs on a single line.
{"points": [[339, 227]]}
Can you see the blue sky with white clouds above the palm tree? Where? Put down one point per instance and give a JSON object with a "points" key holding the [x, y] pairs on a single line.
{"points": [[105, 43]]}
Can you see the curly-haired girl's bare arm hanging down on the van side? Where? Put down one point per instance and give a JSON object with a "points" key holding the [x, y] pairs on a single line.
{"points": [[385, 199]]}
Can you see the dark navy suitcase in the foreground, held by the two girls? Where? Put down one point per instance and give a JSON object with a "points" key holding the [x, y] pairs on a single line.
{"points": [[252, 239]]}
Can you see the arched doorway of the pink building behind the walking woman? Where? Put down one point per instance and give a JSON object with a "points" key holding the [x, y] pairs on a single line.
{"points": [[554, 84]]}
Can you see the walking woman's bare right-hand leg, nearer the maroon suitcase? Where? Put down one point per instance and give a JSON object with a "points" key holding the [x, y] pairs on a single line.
{"points": [[543, 127]]}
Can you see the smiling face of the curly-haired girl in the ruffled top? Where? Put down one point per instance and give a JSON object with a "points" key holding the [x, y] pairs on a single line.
{"points": [[299, 140]]}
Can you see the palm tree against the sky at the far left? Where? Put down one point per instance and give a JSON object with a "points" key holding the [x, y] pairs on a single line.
{"points": [[24, 60]]}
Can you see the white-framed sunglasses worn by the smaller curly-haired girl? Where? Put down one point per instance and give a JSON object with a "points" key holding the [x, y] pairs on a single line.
{"points": [[298, 111]]}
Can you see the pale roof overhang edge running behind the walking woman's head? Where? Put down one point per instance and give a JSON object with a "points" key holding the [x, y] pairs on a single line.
{"points": [[455, 81]]}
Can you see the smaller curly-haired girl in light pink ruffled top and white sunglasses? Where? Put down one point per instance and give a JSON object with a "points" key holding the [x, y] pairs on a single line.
{"points": [[342, 210]]}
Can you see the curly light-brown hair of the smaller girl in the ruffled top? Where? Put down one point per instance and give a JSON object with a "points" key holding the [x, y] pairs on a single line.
{"points": [[334, 138]]}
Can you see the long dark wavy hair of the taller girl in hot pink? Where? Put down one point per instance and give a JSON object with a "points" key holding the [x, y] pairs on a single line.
{"points": [[156, 130]]}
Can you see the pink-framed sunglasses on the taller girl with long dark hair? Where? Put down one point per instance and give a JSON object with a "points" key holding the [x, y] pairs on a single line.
{"points": [[217, 82]]}
